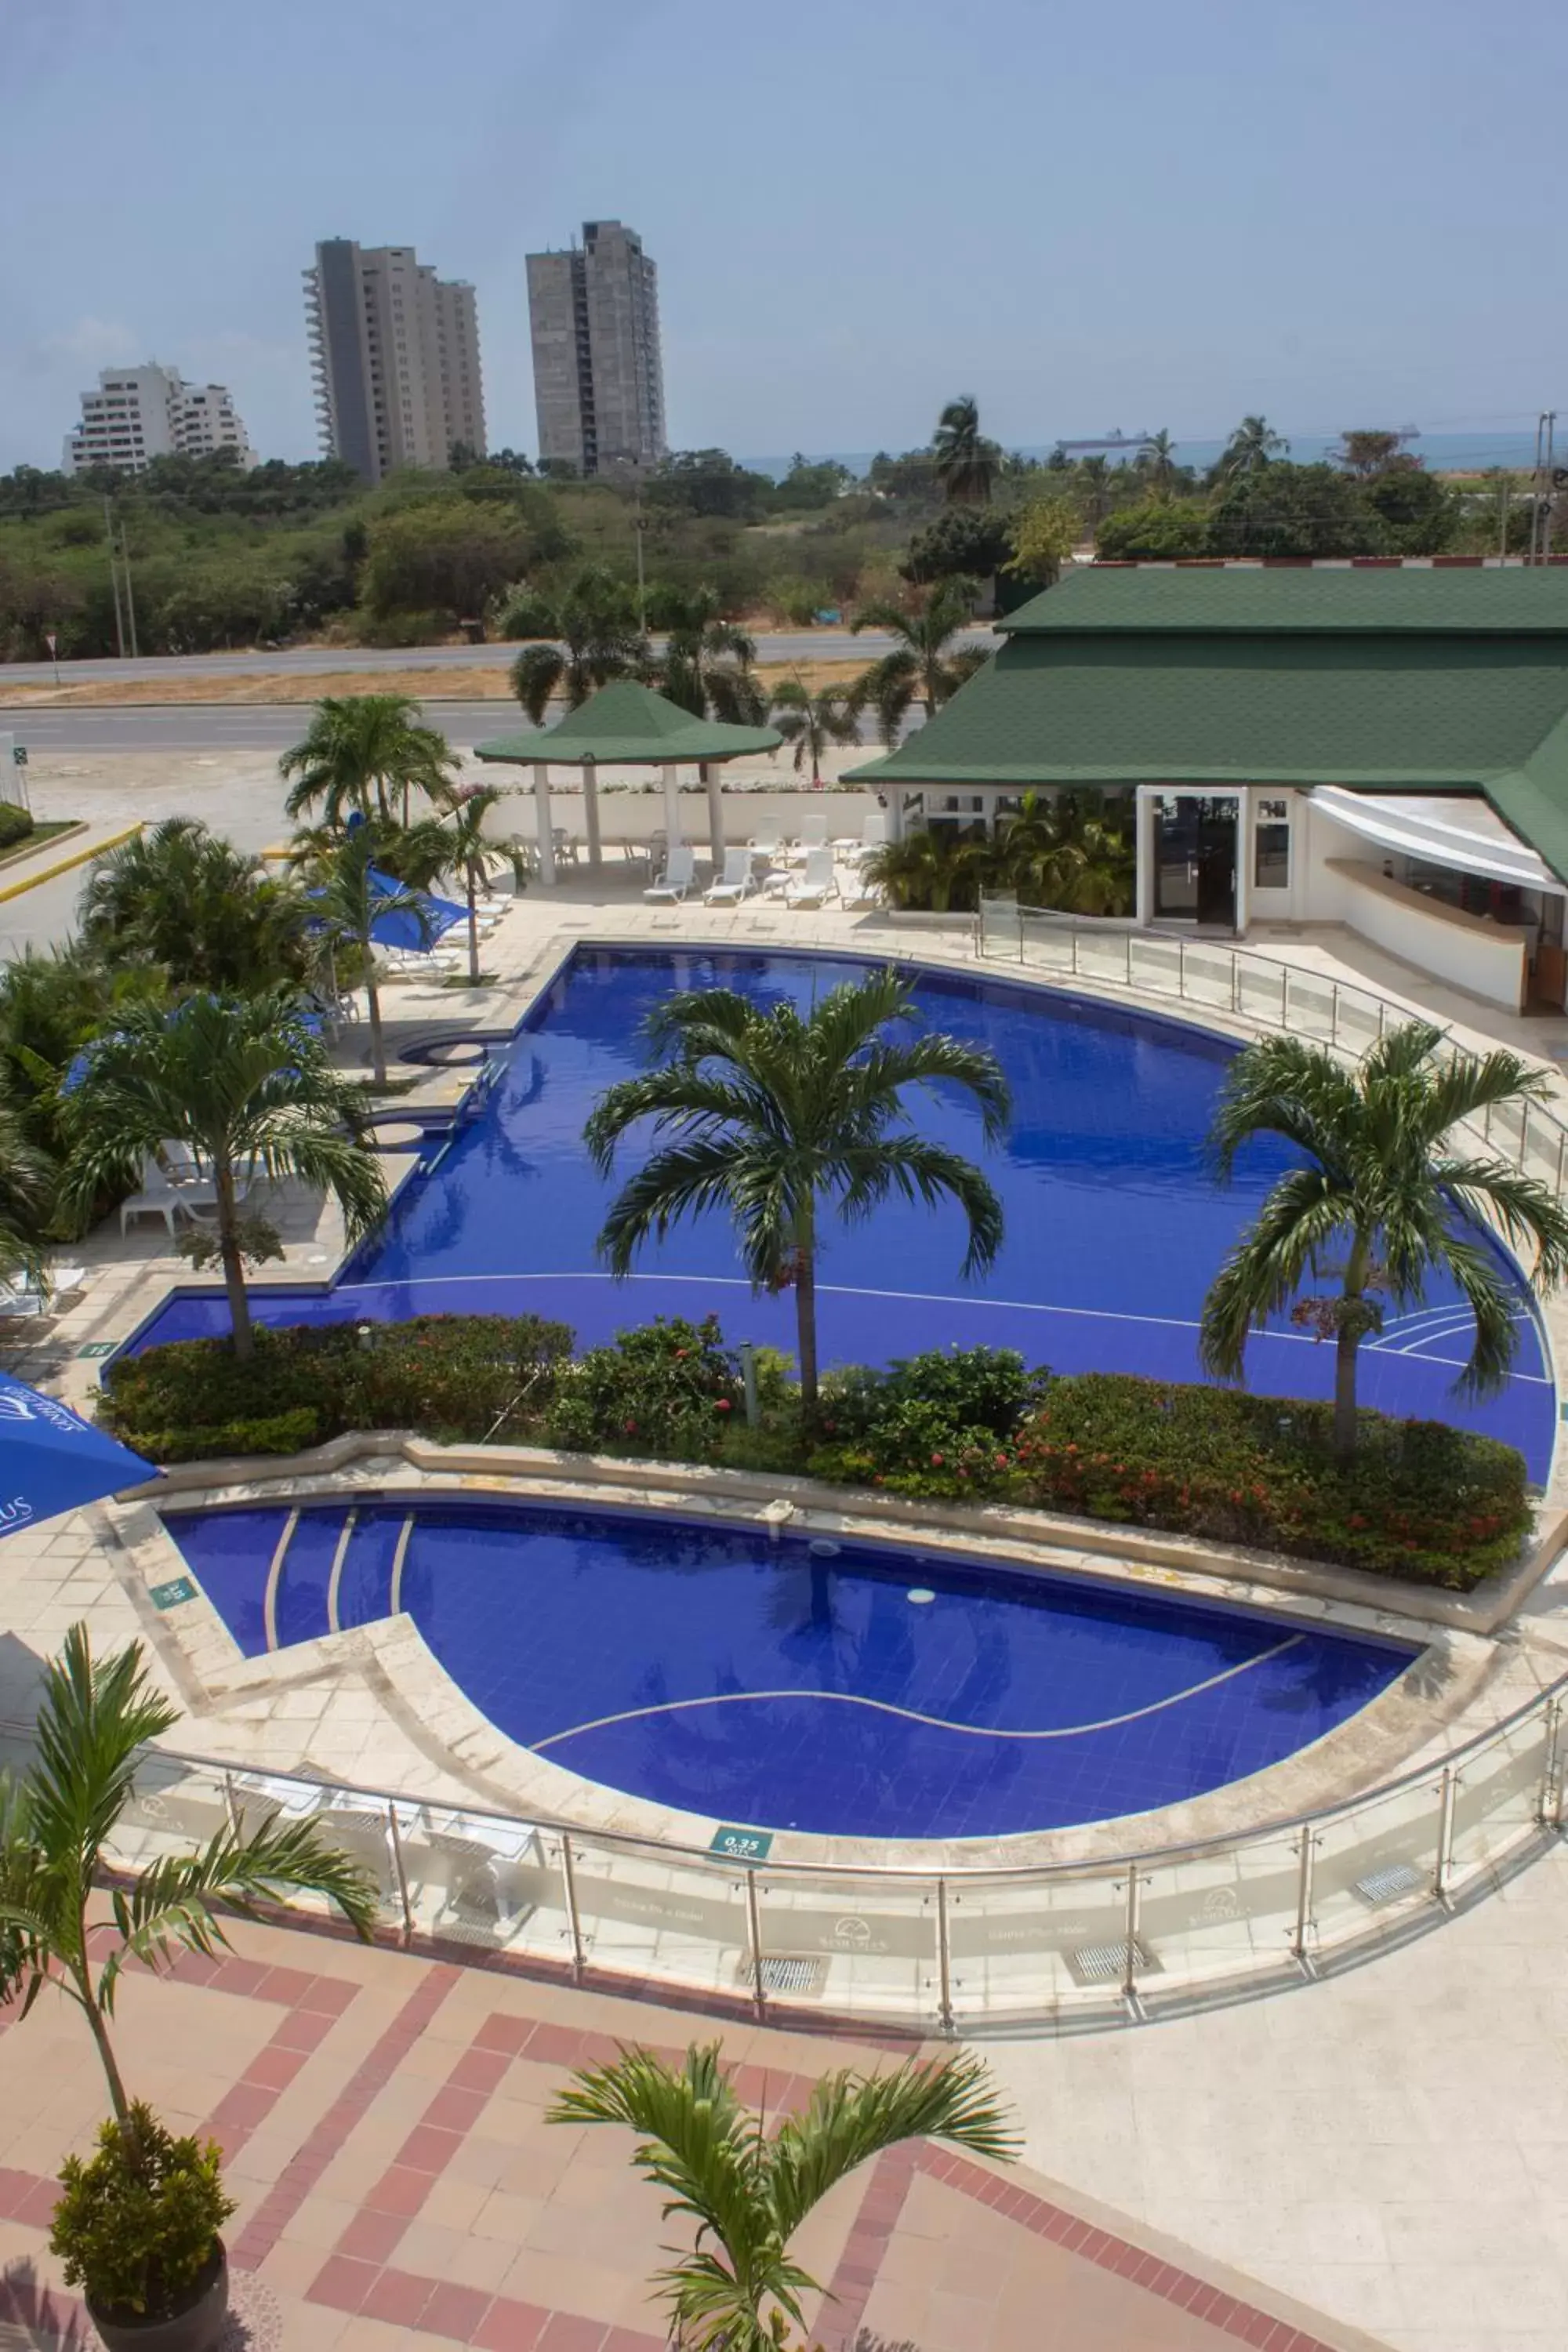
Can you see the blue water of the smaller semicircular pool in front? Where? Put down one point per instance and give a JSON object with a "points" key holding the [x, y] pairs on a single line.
{"points": [[716, 1671]]}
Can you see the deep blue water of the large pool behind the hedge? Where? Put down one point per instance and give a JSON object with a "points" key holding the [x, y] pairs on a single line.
{"points": [[1113, 1224]]}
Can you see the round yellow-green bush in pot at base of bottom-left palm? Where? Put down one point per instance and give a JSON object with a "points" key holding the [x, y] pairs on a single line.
{"points": [[140, 2221]]}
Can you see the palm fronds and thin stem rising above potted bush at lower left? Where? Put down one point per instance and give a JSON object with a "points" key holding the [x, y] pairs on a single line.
{"points": [[58, 1843]]}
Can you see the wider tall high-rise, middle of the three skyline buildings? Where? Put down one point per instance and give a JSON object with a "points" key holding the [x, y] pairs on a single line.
{"points": [[396, 359]]}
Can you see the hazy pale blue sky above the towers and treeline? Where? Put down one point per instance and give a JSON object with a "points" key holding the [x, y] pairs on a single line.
{"points": [[1134, 215]]}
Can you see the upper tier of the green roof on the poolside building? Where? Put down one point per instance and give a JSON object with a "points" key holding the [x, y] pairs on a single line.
{"points": [[1268, 599]]}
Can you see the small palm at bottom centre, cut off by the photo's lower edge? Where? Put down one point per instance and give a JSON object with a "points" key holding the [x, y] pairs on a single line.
{"points": [[749, 2189]]}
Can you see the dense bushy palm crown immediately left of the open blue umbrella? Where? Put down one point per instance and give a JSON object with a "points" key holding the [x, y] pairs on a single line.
{"points": [[187, 900]]}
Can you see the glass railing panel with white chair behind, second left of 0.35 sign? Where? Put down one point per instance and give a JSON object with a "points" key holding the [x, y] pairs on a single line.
{"points": [[488, 1883]]}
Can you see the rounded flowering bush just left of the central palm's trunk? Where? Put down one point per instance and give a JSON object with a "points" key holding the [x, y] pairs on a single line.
{"points": [[669, 1389]]}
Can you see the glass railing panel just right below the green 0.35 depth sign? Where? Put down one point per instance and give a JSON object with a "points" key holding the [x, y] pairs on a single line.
{"points": [[850, 1944]]}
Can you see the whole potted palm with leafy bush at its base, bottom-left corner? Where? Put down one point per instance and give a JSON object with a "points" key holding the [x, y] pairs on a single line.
{"points": [[140, 2224]]}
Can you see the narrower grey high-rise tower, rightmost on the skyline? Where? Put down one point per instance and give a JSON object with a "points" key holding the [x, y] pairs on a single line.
{"points": [[598, 368]]}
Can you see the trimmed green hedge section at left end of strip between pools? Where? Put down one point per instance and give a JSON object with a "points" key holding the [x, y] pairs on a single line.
{"points": [[441, 1375]]}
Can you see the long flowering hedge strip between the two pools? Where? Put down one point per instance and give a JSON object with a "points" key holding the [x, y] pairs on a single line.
{"points": [[1419, 1502]]}
